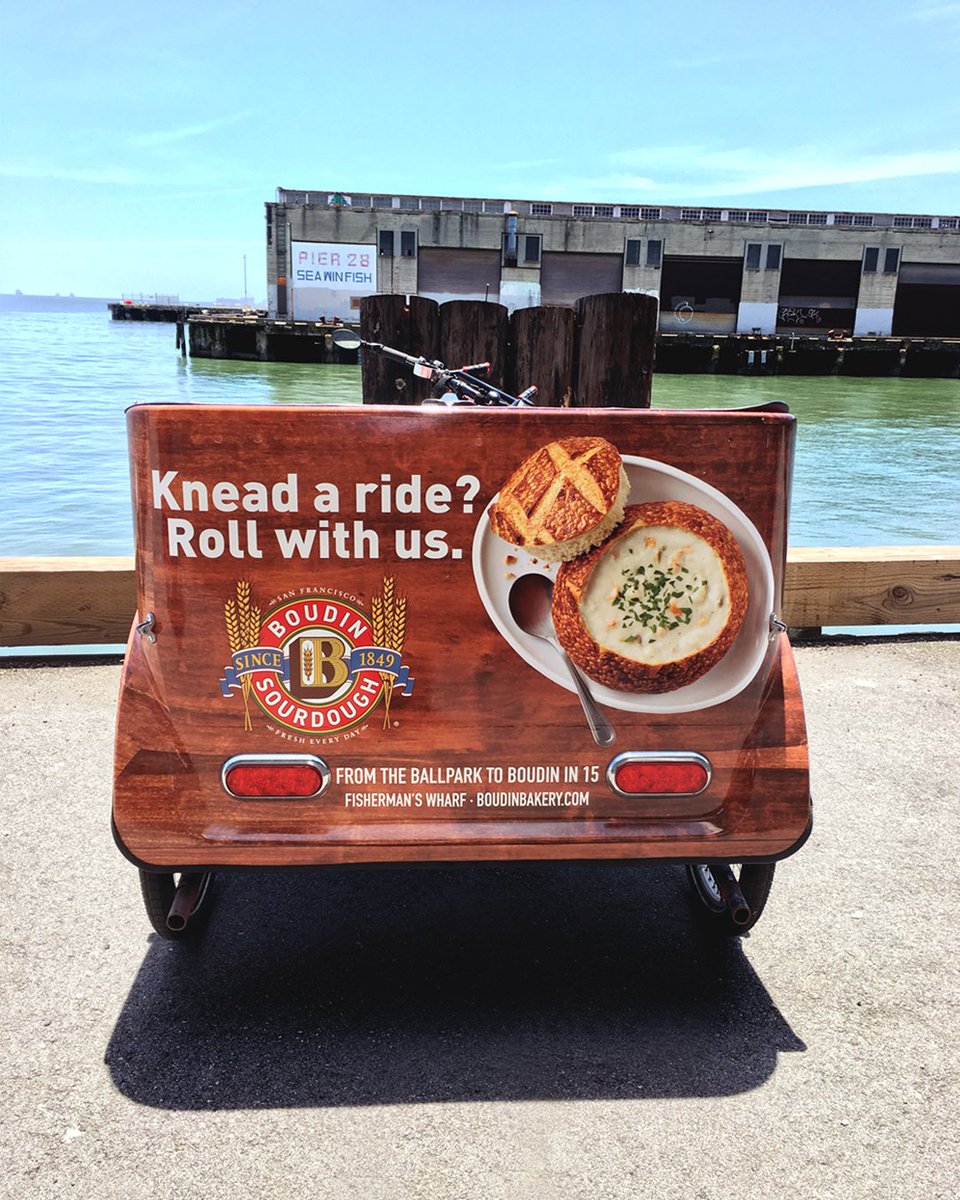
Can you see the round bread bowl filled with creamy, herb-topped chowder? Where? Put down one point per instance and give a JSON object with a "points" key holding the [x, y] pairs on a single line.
{"points": [[658, 604]]}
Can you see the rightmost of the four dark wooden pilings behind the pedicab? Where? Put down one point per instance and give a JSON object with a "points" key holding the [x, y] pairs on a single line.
{"points": [[616, 345]]}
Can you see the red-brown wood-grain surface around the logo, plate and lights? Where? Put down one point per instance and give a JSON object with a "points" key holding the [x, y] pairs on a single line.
{"points": [[477, 707]]}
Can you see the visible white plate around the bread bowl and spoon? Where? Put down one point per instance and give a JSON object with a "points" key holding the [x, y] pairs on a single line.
{"points": [[650, 482]]}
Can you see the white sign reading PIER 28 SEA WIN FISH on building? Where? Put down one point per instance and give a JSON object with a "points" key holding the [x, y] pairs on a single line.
{"points": [[328, 277]]}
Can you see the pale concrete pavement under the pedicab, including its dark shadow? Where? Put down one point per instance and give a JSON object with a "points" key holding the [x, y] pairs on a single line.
{"points": [[494, 1034]]}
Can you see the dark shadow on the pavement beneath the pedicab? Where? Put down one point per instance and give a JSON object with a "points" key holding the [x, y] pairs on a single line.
{"points": [[392, 987]]}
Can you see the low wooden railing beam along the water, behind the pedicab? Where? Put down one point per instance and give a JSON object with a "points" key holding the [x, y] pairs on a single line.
{"points": [[82, 602]]}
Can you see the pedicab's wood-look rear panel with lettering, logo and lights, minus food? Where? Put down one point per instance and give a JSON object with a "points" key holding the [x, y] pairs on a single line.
{"points": [[323, 610]]}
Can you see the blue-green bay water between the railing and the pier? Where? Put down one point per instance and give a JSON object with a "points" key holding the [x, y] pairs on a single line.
{"points": [[877, 459]]}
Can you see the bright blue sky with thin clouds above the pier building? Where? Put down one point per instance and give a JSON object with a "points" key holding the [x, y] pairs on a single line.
{"points": [[141, 141]]}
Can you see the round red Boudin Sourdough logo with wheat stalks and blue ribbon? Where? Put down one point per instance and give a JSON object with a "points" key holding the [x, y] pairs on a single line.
{"points": [[317, 664]]}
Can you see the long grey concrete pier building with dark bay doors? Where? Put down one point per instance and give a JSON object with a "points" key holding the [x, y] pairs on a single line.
{"points": [[715, 271]]}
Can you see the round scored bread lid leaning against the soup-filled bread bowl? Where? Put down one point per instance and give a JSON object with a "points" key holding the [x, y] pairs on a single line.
{"points": [[565, 500]]}
